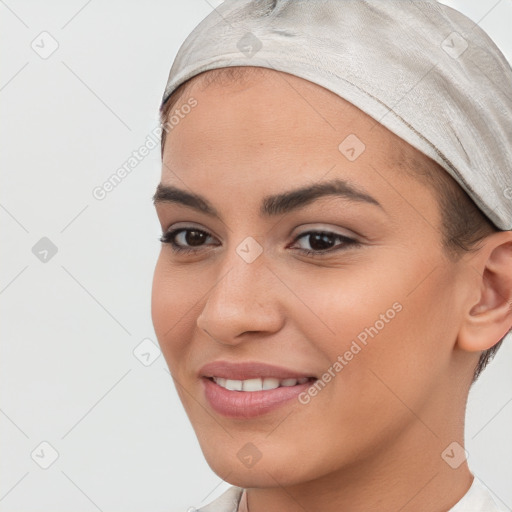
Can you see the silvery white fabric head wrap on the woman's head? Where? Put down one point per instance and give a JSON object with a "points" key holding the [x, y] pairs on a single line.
{"points": [[422, 69]]}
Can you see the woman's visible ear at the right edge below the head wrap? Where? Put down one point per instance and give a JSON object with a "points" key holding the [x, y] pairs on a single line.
{"points": [[489, 309]]}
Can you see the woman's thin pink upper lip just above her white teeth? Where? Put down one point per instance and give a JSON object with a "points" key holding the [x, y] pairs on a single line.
{"points": [[248, 370]]}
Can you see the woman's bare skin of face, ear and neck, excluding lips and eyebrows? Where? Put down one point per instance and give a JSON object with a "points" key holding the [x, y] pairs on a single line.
{"points": [[372, 439]]}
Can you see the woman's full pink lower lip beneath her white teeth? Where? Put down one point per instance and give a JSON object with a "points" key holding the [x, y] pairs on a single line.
{"points": [[249, 404]]}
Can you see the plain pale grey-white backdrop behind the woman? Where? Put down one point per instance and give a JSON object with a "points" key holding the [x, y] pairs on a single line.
{"points": [[70, 324]]}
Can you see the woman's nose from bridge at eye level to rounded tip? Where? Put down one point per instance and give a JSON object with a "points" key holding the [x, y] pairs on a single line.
{"points": [[239, 300]]}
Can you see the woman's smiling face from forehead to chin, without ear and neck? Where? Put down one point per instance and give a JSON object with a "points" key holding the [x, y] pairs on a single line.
{"points": [[375, 305]]}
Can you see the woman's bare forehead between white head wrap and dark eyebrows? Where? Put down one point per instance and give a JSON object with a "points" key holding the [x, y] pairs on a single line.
{"points": [[246, 140]]}
